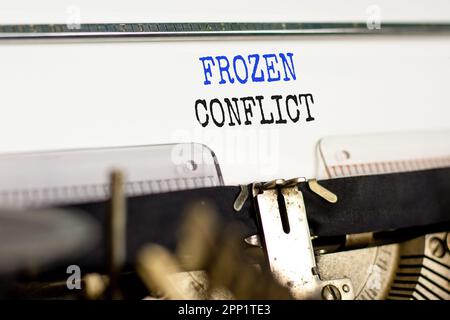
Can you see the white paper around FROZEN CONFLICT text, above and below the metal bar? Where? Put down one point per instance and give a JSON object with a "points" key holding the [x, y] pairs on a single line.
{"points": [[59, 96]]}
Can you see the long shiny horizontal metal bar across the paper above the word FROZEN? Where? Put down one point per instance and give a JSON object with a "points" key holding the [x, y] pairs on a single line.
{"points": [[154, 31]]}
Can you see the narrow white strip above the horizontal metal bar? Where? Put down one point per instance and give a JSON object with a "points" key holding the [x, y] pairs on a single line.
{"points": [[54, 11]]}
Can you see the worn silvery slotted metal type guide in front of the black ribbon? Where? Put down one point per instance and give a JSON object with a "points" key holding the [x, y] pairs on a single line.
{"points": [[295, 271]]}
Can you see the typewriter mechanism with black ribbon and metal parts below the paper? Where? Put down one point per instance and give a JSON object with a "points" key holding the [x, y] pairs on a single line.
{"points": [[119, 239]]}
